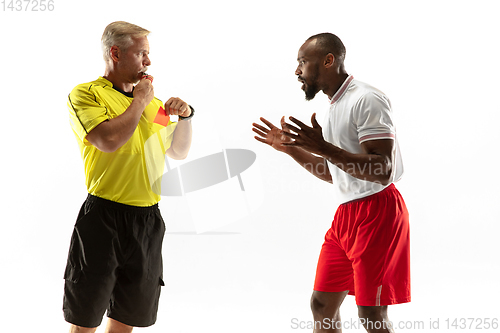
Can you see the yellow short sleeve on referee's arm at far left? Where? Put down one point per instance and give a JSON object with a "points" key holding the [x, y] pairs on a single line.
{"points": [[86, 112]]}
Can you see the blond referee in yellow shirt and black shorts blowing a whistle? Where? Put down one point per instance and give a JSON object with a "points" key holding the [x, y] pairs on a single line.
{"points": [[123, 132]]}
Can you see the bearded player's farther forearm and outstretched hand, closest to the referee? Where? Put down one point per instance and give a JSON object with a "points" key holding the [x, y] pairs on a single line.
{"points": [[273, 136]]}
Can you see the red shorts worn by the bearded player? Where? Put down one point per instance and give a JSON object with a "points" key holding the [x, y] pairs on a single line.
{"points": [[367, 250]]}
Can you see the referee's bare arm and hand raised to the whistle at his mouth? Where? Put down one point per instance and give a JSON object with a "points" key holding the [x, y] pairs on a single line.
{"points": [[111, 134]]}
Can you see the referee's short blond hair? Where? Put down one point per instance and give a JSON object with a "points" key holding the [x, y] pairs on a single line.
{"points": [[120, 33]]}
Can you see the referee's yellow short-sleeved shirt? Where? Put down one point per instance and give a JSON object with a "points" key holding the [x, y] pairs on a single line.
{"points": [[129, 175]]}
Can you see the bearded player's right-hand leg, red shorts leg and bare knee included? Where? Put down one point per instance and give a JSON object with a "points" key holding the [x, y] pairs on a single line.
{"points": [[382, 259]]}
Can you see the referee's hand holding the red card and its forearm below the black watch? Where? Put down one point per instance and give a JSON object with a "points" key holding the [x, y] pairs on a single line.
{"points": [[181, 142]]}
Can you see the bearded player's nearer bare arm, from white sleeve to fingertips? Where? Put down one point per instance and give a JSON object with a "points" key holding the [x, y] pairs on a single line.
{"points": [[374, 164]]}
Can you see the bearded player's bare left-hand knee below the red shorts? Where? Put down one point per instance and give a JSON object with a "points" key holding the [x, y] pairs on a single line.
{"points": [[325, 307]]}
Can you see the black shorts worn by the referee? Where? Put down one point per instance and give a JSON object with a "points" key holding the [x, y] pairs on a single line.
{"points": [[114, 263]]}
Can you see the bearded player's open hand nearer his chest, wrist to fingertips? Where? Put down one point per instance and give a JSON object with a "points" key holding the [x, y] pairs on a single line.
{"points": [[304, 137]]}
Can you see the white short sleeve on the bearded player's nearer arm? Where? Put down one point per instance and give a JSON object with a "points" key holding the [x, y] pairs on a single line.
{"points": [[373, 117]]}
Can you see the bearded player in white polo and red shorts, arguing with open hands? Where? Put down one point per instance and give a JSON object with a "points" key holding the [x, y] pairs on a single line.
{"points": [[366, 250]]}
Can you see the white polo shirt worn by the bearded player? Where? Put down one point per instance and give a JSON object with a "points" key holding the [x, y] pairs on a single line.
{"points": [[358, 113]]}
